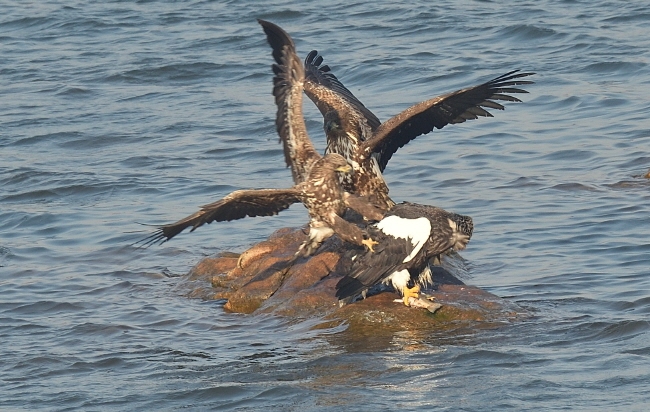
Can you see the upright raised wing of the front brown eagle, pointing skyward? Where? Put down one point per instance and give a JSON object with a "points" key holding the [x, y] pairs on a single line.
{"points": [[299, 152]]}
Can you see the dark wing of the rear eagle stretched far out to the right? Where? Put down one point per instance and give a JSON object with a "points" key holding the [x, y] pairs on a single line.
{"points": [[455, 107]]}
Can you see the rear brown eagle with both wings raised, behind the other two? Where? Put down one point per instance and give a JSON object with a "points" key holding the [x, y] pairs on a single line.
{"points": [[353, 131]]}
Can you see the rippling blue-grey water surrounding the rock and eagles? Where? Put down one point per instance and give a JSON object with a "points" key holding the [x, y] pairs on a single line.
{"points": [[113, 113]]}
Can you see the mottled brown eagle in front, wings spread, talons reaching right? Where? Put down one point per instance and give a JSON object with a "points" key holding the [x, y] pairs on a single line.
{"points": [[316, 183]]}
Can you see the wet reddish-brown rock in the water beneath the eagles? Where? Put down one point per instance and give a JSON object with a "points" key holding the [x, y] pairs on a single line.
{"points": [[263, 281]]}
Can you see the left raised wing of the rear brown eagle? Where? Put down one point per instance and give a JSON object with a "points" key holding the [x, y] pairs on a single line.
{"points": [[329, 94]]}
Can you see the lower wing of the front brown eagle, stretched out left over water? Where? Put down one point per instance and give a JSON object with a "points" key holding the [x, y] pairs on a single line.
{"points": [[237, 205]]}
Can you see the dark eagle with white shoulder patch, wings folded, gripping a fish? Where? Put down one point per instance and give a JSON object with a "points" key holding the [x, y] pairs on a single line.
{"points": [[408, 237]]}
